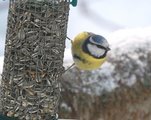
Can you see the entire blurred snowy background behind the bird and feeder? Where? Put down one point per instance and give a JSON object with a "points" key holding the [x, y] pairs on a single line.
{"points": [[89, 95]]}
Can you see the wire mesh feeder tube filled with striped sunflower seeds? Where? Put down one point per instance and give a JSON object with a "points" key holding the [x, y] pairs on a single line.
{"points": [[34, 51]]}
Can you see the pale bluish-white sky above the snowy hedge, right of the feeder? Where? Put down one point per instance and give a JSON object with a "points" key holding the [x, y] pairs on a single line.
{"points": [[106, 16]]}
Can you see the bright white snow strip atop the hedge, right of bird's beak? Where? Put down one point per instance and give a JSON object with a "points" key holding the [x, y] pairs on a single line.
{"points": [[127, 36]]}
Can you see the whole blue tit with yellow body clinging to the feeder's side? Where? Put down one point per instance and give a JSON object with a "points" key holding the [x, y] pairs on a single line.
{"points": [[89, 50]]}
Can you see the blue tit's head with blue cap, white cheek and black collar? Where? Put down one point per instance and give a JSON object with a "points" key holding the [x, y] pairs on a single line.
{"points": [[96, 46]]}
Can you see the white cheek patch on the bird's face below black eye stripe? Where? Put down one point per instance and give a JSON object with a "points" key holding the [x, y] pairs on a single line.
{"points": [[94, 50]]}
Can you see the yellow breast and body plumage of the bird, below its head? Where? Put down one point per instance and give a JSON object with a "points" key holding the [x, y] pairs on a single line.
{"points": [[83, 60]]}
